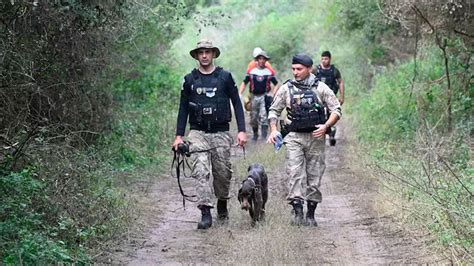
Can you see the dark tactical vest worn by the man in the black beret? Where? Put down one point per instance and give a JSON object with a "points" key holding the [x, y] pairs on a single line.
{"points": [[306, 110]]}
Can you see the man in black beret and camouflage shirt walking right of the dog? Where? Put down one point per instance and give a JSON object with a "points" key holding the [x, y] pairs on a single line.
{"points": [[304, 98]]}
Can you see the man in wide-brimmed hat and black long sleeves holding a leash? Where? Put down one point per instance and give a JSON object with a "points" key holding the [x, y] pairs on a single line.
{"points": [[206, 95]]}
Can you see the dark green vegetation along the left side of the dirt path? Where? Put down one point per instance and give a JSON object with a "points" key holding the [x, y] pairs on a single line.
{"points": [[81, 86]]}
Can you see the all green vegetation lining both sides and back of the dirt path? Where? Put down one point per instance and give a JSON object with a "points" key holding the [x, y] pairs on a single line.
{"points": [[89, 95]]}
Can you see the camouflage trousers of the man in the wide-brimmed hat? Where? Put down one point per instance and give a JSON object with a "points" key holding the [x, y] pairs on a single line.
{"points": [[211, 165]]}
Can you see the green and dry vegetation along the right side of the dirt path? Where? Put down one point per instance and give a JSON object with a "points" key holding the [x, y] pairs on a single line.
{"points": [[415, 118]]}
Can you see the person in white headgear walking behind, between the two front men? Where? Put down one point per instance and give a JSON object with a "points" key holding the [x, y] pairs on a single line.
{"points": [[260, 78]]}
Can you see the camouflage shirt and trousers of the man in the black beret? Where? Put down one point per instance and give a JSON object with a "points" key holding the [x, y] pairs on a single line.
{"points": [[305, 155]]}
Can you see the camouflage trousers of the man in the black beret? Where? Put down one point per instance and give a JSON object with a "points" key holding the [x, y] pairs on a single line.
{"points": [[305, 165]]}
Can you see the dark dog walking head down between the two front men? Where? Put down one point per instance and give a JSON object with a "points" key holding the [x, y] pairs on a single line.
{"points": [[253, 193]]}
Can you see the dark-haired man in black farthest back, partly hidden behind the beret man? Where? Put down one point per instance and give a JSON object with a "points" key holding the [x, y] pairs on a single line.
{"points": [[331, 76]]}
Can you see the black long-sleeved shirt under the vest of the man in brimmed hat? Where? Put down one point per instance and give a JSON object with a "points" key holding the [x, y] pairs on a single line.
{"points": [[231, 91]]}
